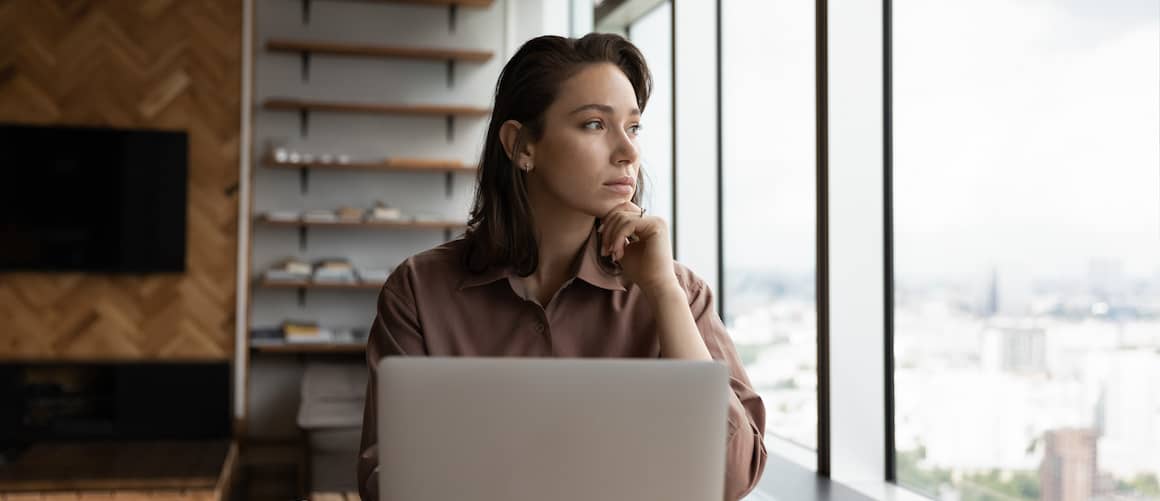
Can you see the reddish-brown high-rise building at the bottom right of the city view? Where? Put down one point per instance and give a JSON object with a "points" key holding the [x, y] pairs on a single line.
{"points": [[1069, 468]]}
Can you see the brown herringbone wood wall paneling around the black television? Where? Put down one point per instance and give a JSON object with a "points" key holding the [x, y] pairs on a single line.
{"points": [[165, 64]]}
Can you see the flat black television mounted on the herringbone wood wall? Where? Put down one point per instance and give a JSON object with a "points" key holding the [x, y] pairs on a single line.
{"points": [[98, 200]]}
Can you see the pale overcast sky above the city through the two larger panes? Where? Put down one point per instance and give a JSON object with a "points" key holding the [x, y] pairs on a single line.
{"points": [[1027, 136]]}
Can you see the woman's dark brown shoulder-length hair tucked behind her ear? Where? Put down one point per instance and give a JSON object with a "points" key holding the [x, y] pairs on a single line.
{"points": [[501, 233]]}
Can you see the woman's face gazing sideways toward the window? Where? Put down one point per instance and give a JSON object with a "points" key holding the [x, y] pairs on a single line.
{"points": [[588, 158]]}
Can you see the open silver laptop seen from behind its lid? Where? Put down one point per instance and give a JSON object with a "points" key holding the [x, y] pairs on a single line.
{"points": [[560, 430]]}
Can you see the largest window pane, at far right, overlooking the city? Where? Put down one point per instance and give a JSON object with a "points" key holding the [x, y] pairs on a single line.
{"points": [[1027, 217]]}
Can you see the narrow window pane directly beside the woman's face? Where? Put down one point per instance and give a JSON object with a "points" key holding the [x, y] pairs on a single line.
{"points": [[654, 35]]}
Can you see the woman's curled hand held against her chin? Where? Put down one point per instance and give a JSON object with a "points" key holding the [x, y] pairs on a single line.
{"points": [[641, 244]]}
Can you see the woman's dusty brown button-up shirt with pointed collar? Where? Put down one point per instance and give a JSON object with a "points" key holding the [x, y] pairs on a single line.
{"points": [[432, 306]]}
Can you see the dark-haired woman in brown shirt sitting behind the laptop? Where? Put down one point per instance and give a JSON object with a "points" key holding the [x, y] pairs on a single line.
{"points": [[560, 258]]}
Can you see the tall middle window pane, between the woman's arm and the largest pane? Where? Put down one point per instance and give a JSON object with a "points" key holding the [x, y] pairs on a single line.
{"points": [[770, 206]]}
